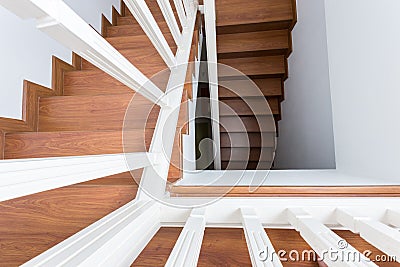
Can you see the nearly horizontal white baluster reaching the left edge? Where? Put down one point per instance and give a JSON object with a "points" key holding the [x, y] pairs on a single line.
{"points": [[28, 176]]}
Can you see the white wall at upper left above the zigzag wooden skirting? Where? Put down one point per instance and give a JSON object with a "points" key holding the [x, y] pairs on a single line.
{"points": [[26, 52]]}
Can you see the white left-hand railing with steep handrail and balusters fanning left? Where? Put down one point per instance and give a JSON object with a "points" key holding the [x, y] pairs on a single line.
{"points": [[59, 21]]}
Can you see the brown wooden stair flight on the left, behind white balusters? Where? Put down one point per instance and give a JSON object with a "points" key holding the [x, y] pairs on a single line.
{"points": [[84, 115]]}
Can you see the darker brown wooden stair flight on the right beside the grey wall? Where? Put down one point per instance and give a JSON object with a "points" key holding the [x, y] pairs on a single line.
{"points": [[253, 37]]}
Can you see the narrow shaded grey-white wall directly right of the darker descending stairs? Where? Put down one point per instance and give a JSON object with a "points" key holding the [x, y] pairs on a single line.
{"points": [[305, 131]]}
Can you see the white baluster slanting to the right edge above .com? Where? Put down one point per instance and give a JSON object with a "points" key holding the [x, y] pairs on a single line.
{"points": [[383, 237]]}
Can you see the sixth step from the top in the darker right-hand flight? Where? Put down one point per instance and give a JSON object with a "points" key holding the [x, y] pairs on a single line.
{"points": [[250, 123]]}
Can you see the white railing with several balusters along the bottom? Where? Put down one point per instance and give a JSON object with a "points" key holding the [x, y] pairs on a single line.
{"points": [[119, 238]]}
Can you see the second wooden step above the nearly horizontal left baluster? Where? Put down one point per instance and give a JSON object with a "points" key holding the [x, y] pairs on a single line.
{"points": [[92, 113]]}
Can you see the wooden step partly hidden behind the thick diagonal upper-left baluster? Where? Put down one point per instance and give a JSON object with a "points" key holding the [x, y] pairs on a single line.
{"points": [[145, 59]]}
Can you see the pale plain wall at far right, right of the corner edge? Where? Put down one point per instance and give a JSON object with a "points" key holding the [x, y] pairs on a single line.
{"points": [[364, 57]]}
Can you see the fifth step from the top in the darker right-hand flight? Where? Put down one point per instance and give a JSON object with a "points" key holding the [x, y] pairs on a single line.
{"points": [[252, 106]]}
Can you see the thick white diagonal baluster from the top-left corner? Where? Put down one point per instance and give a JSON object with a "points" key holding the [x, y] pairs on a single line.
{"points": [[60, 22]]}
